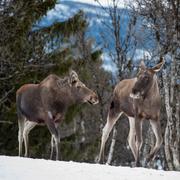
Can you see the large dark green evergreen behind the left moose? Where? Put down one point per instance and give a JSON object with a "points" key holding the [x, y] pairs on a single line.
{"points": [[27, 54]]}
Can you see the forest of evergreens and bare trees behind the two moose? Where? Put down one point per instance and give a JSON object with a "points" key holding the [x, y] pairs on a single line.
{"points": [[29, 51]]}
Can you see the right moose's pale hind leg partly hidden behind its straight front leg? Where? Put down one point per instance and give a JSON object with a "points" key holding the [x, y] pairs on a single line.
{"points": [[132, 137]]}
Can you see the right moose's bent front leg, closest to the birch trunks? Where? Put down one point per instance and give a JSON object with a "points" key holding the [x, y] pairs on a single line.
{"points": [[156, 127]]}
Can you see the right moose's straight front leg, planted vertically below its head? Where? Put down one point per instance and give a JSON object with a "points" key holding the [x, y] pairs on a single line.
{"points": [[138, 129]]}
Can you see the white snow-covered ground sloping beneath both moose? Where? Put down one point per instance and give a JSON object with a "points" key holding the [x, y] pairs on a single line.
{"points": [[15, 168]]}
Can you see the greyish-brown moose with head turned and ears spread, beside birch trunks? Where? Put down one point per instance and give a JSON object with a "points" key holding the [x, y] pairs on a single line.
{"points": [[138, 98]]}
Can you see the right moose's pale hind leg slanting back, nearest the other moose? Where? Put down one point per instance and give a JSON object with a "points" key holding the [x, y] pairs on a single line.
{"points": [[111, 120]]}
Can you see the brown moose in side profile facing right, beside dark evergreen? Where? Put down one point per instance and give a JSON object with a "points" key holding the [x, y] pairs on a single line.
{"points": [[46, 103]]}
